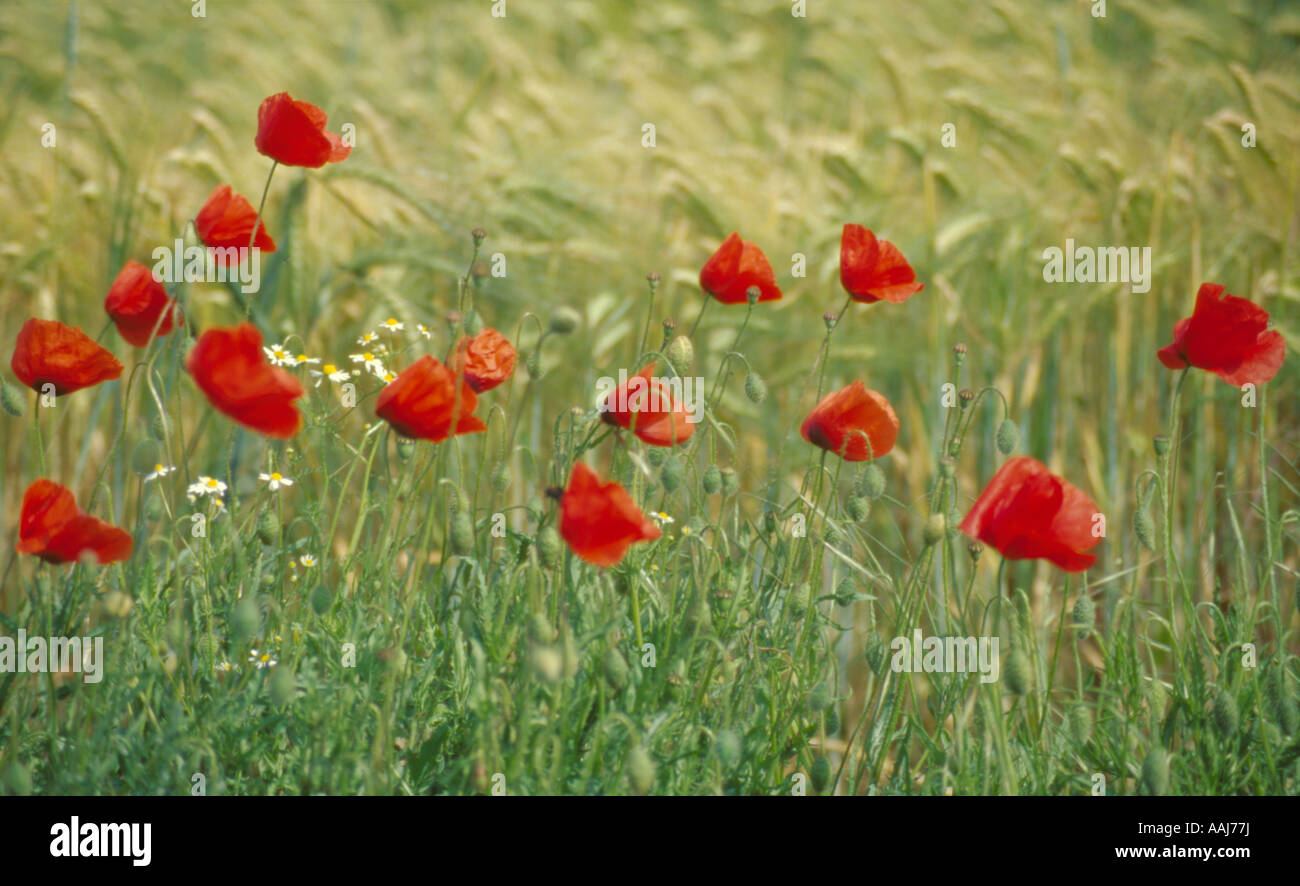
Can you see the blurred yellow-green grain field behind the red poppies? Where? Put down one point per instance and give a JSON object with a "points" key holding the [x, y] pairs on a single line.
{"points": [[1124, 131]]}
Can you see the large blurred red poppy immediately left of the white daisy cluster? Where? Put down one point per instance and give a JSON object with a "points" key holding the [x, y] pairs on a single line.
{"points": [[229, 367]]}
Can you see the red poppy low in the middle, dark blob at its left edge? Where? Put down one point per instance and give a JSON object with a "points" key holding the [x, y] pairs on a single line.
{"points": [[601, 522]]}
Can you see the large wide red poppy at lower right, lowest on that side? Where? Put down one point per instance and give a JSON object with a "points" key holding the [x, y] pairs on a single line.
{"points": [[1030, 514]]}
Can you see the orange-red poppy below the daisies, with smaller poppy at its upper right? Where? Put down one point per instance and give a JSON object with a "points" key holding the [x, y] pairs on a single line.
{"points": [[422, 402]]}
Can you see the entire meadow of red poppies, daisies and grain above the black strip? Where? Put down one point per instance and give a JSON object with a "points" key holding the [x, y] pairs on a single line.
{"points": [[596, 398]]}
